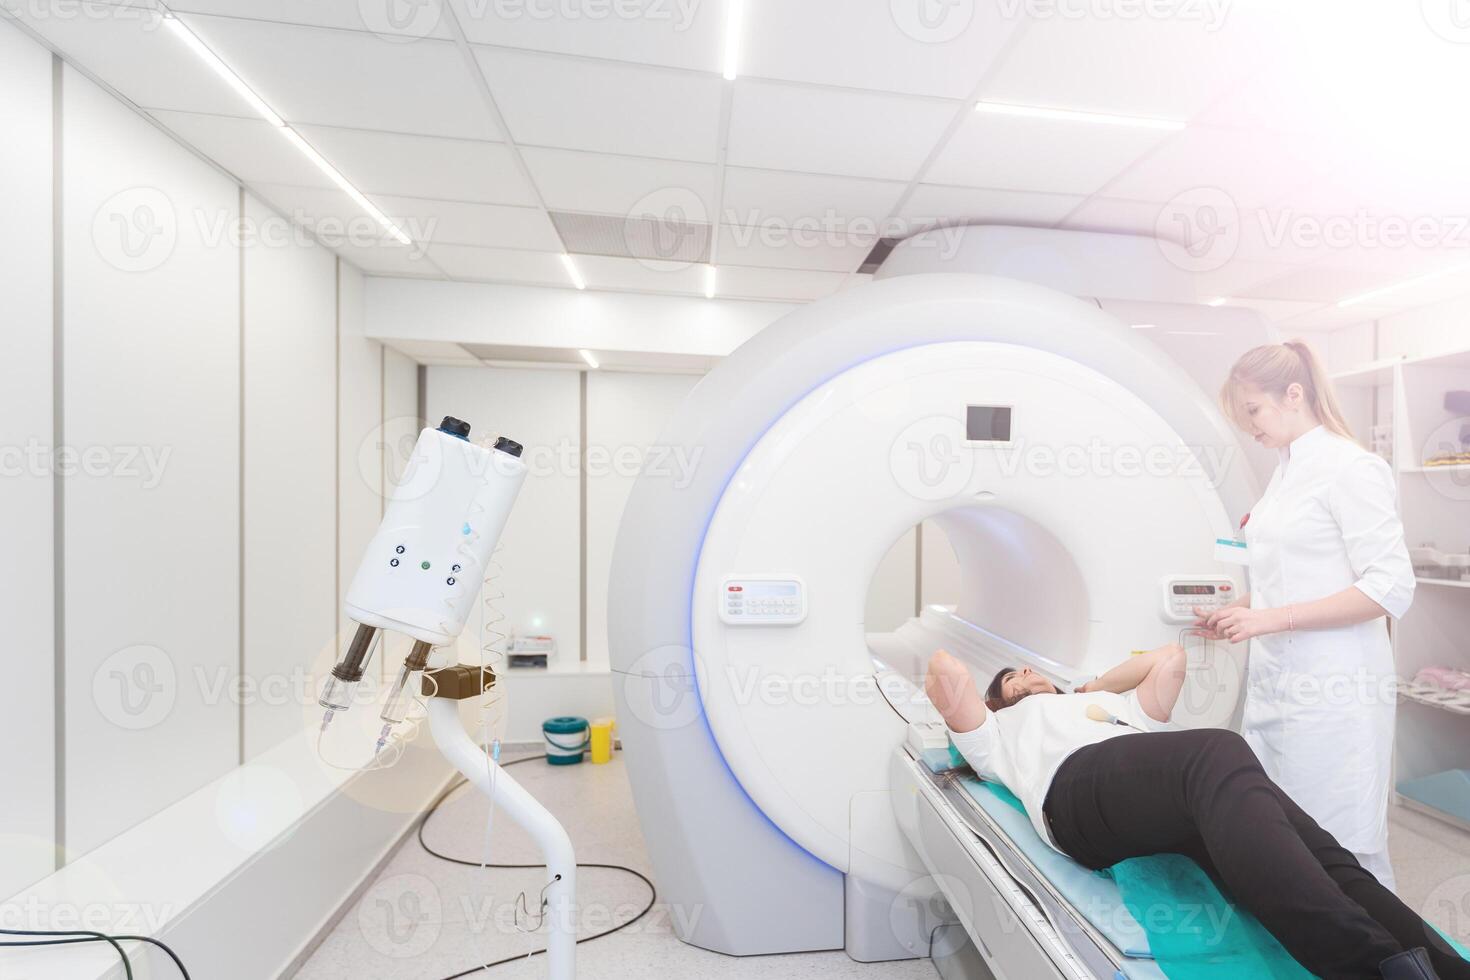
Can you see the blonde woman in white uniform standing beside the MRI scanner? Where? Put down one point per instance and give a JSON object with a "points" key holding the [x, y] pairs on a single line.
{"points": [[1328, 565]]}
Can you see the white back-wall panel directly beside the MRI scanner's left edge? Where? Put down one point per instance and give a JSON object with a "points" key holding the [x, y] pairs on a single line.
{"points": [[625, 414]]}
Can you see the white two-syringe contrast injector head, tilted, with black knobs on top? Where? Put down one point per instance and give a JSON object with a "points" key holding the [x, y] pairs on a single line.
{"points": [[423, 571]]}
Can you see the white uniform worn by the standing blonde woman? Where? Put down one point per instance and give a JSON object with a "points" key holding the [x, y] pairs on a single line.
{"points": [[1319, 706]]}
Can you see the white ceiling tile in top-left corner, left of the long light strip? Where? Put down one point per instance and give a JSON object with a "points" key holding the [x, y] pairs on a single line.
{"points": [[129, 48]]}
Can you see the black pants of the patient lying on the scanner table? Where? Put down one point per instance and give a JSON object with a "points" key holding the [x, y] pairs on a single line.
{"points": [[1205, 794]]}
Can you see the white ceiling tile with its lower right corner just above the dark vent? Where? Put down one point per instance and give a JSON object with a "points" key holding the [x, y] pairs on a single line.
{"points": [[759, 198]]}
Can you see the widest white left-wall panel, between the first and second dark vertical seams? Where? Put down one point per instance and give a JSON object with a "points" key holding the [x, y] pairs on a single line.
{"points": [[152, 399]]}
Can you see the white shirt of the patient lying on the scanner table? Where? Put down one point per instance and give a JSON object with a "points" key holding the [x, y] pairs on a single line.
{"points": [[1025, 746]]}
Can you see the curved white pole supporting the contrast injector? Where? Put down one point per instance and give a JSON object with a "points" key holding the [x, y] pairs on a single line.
{"points": [[537, 821]]}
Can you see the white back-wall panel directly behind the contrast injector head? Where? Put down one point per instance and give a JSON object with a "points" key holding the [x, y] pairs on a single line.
{"points": [[540, 549]]}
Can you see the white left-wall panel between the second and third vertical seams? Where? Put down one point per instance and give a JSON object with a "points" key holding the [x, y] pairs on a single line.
{"points": [[290, 475]]}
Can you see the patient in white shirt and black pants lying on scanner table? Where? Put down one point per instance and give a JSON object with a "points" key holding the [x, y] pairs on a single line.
{"points": [[1102, 799]]}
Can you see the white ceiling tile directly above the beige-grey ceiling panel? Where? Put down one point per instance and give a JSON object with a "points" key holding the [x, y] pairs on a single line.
{"points": [[606, 184]]}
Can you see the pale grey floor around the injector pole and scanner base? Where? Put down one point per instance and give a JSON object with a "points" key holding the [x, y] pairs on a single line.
{"points": [[426, 919]]}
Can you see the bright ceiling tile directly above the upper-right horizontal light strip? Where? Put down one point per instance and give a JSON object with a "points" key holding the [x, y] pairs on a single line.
{"points": [[1159, 67]]}
